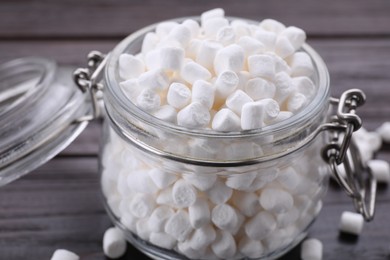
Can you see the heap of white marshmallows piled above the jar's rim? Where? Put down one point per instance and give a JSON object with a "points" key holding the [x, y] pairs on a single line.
{"points": [[221, 75]]}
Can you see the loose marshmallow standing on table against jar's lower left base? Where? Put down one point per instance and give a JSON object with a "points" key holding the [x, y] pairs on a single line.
{"points": [[114, 243]]}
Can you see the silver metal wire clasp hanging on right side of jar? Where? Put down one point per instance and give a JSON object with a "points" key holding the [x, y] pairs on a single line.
{"points": [[341, 152]]}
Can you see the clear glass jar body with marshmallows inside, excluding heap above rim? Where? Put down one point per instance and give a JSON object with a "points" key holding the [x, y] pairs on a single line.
{"points": [[200, 194]]}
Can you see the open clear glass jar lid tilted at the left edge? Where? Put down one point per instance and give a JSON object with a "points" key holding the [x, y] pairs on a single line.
{"points": [[39, 108]]}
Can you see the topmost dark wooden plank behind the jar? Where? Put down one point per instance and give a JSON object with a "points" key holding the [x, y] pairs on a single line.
{"points": [[43, 19]]}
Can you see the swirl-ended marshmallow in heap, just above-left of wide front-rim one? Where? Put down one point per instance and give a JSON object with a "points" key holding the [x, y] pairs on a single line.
{"points": [[179, 95]]}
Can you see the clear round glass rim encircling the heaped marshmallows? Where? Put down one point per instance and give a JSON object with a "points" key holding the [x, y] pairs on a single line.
{"points": [[311, 110]]}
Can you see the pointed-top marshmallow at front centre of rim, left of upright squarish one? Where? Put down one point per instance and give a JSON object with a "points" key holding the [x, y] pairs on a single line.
{"points": [[226, 120]]}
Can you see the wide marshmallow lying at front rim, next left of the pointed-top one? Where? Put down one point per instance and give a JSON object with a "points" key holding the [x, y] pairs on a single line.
{"points": [[195, 115]]}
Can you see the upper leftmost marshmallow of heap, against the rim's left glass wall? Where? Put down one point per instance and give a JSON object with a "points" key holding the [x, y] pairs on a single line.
{"points": [[130, 66]]}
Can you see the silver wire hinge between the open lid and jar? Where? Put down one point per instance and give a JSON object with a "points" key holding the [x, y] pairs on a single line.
{"points": [[89, 79]]}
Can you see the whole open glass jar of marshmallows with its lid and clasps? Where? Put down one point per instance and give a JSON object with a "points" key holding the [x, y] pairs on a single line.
{"points": [[219, 136]]}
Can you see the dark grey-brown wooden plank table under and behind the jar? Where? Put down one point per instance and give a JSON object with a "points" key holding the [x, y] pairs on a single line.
{"points": [[58, 205]]}
